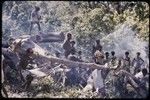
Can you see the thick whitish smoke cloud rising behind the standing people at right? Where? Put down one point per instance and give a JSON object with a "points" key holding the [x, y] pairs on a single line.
{"points": [[124, 39]]}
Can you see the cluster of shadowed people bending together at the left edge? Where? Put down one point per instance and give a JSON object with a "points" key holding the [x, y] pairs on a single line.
{"points": [[14, 60]]}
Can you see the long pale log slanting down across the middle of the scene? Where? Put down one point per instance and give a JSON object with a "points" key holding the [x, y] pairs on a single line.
{"points": [[42, 58]]}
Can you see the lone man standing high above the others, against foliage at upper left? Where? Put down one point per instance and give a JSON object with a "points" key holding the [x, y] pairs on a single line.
{"points": [[35, 18]]}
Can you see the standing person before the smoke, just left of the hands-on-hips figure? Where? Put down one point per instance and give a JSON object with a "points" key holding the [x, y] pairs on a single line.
{"points": [[126, 62]]}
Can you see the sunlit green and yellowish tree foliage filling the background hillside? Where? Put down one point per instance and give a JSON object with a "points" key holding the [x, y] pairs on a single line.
{"points": [[85, 19]]}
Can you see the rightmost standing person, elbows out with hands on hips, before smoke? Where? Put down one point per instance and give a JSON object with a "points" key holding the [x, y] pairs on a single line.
{"points": [[137, 63]]}
